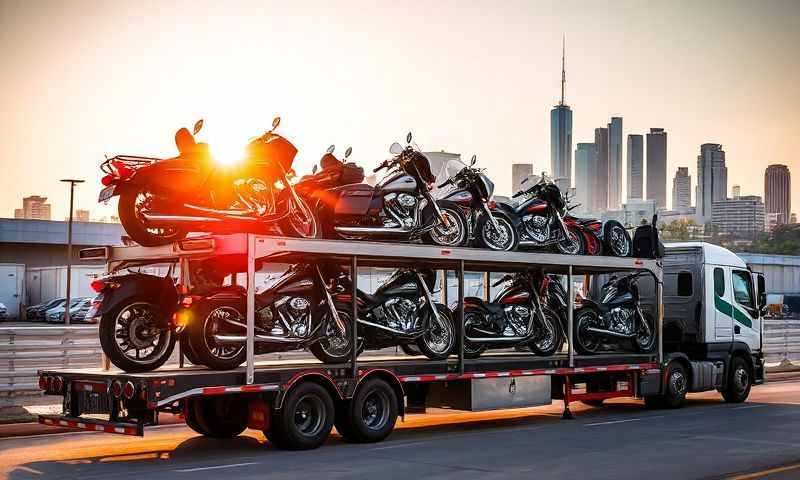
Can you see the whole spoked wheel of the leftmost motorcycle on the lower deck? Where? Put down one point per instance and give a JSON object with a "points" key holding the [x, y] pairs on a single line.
{"points": [[132, 338]]}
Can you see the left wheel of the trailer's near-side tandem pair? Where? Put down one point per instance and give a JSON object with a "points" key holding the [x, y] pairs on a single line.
{"points": [[305, 420]]}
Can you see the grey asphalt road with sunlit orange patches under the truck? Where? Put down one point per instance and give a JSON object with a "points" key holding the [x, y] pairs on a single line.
{"points": [[706, 439]]}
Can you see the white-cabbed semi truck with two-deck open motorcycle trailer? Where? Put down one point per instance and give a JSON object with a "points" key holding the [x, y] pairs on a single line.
{"points": [[706, 303]]}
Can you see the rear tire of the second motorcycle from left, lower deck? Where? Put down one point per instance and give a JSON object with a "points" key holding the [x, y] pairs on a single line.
{"points": [[206, 351]]}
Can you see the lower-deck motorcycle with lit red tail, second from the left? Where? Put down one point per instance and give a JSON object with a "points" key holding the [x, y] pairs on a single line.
{"points": [[296, 312]]}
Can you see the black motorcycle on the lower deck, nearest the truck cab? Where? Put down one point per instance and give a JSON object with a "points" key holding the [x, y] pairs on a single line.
{"points": [[617, 318]]}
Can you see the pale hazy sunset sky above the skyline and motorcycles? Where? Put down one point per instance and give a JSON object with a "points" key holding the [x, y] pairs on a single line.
{"points": [[84, 79]]}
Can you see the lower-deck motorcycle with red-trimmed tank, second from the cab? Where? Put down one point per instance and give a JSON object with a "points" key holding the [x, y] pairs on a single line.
{"points": [[516, 316]]}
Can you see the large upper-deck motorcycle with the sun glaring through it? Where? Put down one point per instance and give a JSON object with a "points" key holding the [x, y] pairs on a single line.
{"points": [[160, 201]]}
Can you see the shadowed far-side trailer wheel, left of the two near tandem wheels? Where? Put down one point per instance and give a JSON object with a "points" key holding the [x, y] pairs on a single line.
{"points": [[218, 417]]}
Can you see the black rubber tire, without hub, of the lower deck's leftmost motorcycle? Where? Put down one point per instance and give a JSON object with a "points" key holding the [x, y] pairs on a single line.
{"points": [[108, 340]]}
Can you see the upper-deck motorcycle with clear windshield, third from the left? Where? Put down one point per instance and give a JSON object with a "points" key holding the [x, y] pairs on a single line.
{"points": [[490, 228]]}
